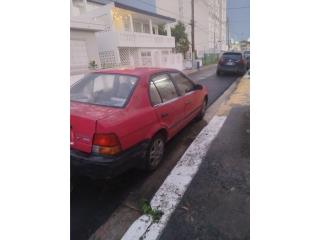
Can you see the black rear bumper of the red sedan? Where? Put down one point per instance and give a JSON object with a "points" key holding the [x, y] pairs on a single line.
{"points": [[97, 166]]}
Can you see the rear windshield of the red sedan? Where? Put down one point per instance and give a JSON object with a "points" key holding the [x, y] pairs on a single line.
{"points": [[112, 90]]}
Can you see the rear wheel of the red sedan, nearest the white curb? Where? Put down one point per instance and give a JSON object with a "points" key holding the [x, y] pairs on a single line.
{"points": [[154, 153]]}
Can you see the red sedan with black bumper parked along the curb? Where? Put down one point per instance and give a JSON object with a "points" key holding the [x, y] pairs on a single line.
{"points": [[122, 119]]}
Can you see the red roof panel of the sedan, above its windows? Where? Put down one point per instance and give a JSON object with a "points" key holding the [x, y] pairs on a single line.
{"points": [[136, 71]]}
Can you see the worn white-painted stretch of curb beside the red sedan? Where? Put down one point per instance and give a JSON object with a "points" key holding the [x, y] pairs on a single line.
{"points": [[171, 191]]}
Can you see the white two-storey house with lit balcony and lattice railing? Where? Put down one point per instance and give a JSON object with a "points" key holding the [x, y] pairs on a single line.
{"points": [[128, 36]]}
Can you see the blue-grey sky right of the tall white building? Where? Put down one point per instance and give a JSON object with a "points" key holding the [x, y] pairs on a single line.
{"points": [[239, 19]]}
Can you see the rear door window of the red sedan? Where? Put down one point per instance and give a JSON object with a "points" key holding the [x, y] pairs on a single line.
{"points": [[165, 87]]}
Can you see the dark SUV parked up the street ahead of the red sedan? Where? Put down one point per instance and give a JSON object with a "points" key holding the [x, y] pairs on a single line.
{"points": [[232, 62]]}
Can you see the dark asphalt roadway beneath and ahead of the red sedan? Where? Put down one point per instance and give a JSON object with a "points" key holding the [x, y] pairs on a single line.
{"points": [[94, 201]]}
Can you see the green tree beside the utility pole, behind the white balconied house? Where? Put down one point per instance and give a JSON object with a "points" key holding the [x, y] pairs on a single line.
{"points": [[181, 38]]}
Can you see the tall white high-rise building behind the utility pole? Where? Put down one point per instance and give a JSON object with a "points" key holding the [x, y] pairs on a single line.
{"points": [[210, 22]]}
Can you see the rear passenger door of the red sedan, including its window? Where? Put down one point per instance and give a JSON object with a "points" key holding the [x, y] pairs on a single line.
{"points": [[168, 105]]}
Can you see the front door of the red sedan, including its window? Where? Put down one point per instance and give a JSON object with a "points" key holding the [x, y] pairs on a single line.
{"points": [[191, 98]]}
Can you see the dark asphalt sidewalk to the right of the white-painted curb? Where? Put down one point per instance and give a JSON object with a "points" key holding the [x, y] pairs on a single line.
{"points": [[216, 204]]}
